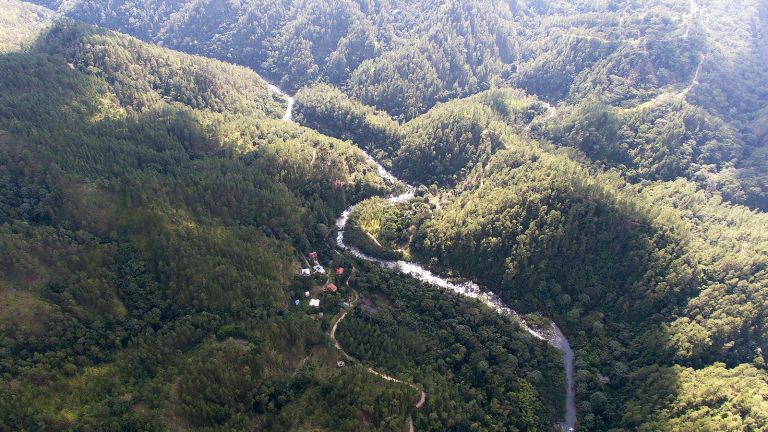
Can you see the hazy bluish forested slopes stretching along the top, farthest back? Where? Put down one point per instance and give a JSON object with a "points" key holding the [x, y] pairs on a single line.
{"points": [[587, 49]]}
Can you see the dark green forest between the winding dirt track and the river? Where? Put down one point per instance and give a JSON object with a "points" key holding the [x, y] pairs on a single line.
{"points": [[480, 371]]}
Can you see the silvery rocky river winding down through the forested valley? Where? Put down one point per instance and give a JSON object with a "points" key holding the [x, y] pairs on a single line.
{"points": [[553, 335]]}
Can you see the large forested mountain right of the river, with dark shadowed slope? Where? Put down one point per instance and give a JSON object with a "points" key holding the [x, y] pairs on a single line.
{"points": [[648, 289]]}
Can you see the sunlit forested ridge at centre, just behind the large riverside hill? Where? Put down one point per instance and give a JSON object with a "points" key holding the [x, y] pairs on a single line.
{"points": [[440, 146]]}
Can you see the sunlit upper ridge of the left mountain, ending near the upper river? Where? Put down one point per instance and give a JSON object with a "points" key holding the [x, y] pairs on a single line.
{"points": [[143, 74]]}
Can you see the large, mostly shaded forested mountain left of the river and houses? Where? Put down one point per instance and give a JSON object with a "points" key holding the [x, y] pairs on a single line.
{"points": [[137, 237]]}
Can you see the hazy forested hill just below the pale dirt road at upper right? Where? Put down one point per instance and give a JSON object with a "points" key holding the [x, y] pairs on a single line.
{"points": [[663, 141]]}
